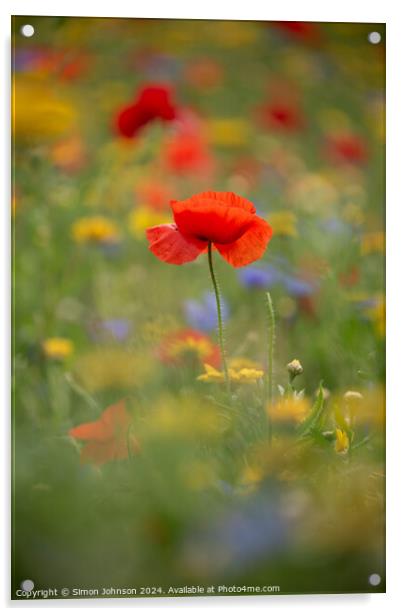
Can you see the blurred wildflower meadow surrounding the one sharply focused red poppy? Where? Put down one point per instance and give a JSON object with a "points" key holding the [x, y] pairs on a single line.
{"points": [[181, 483]]}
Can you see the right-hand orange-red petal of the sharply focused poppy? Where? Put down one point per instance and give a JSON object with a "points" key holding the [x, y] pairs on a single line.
{"points": [[250, 246]]}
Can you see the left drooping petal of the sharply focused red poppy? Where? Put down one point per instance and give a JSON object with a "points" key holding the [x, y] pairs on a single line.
{"points": [[170, 245]]}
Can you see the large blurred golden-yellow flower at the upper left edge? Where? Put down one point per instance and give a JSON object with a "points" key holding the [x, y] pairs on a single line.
{"points": [[38, 112]]}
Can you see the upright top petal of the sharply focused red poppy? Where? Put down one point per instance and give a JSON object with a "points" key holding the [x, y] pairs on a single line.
{"points": [[211, 220]]}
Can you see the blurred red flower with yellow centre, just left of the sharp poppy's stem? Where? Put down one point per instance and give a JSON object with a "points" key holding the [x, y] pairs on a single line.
{"points": [[185, 345]]}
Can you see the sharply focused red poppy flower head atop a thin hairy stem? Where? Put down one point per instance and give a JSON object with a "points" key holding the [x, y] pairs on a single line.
{"points": [[226, 220]]}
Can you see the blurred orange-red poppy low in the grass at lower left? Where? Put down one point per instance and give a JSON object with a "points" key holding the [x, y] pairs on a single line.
{"points": [[107, 438]]}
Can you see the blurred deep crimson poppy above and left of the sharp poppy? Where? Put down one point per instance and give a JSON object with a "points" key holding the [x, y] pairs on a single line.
{"points": [[152, 103]]}
